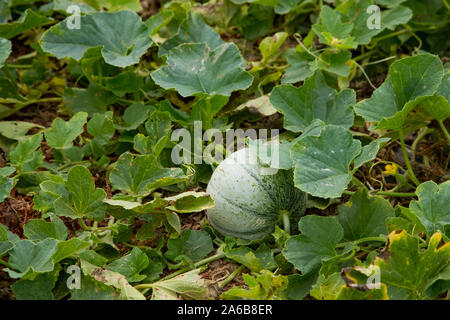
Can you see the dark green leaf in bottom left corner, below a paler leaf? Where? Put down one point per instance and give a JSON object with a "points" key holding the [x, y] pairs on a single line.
{"points": [[40, 288]]}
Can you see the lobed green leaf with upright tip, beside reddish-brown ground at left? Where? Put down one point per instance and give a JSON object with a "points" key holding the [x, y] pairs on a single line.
{"points": [[83, 199]]}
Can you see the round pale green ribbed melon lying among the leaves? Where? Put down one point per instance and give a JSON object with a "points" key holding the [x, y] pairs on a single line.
{"points": [[248, 203]]}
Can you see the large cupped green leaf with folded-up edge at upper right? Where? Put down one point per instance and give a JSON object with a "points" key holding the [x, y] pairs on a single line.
{"points": [[409, 81]]}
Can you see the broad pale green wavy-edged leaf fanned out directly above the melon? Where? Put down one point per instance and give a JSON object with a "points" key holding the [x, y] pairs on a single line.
{"points": [[194, 69]]}
